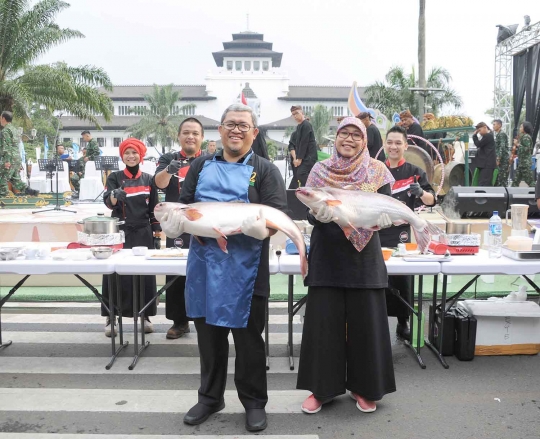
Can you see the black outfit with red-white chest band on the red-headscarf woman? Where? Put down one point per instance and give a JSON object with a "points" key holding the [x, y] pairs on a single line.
{"points": [[138, 213]]}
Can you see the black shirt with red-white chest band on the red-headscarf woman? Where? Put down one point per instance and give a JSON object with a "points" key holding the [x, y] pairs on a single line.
{"points": [[142, 197]]}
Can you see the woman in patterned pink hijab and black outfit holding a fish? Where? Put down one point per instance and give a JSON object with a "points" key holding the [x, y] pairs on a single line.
{"points": [[346, 340]]}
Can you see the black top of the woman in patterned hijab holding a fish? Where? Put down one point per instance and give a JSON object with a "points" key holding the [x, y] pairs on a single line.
{"points": [[335, 262]]}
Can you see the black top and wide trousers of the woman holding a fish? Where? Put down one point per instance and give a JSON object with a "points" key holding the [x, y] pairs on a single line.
{"points": [[346, 340]]}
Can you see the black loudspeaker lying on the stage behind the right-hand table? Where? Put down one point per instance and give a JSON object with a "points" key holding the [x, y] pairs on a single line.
{"points": [[475, 201]]}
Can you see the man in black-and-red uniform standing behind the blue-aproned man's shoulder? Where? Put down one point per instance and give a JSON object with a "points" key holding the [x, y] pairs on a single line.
{"points": [[170, 174]]}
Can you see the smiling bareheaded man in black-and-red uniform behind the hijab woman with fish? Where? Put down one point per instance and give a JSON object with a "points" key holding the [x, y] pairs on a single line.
{"points": [[412, 188]]}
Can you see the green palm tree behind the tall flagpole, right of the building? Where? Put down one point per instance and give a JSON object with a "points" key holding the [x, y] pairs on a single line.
{"points": [[394, 95]]}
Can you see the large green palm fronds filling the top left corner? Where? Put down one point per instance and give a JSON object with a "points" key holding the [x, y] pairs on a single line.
{"points": [[26, 33]]}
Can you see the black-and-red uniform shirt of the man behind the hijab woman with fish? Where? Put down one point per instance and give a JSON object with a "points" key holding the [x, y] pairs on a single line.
{"points": [[404, 175]]}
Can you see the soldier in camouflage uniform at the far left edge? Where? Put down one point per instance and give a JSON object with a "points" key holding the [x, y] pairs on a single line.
{"points": [[11, 159]]}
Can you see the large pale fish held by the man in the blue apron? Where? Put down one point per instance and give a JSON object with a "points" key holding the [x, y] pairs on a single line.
{"points": [[219, 220]]}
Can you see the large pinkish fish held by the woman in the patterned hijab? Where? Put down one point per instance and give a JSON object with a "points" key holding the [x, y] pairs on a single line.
{"points": [[355, 209]]}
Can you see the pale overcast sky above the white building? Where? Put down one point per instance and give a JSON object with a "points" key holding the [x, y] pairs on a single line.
{"points": [[323, 42]]}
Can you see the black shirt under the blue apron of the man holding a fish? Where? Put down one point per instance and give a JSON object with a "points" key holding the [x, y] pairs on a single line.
{"points": [[268, 189]]}
